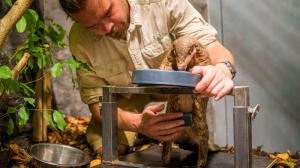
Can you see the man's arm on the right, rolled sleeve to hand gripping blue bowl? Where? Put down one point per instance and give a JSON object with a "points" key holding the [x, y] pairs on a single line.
{"points": [[186, 20]]}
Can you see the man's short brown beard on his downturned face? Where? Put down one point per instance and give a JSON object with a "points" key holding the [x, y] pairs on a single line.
{"points": [[119, 31]]}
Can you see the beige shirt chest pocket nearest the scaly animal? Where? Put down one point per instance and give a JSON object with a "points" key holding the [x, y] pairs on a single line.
{"points": [[155, 52]]}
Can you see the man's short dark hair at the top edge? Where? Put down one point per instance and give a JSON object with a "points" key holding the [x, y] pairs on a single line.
{"points": [[72, 6]]}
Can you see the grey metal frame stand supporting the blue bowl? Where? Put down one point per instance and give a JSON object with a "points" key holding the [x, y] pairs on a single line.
{"points": [[241, 113]]}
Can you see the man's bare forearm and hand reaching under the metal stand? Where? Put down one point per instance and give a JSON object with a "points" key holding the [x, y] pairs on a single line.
{"points": [[162, 127]]}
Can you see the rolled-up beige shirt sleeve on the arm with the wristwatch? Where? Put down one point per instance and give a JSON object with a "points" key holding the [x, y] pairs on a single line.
{"points": [[186, 20]]}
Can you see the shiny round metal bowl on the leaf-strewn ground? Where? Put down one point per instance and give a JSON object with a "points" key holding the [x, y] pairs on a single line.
{"points": [[48, 155]]}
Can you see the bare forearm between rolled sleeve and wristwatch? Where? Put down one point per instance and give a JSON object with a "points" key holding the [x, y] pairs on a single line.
{"points": [[218, 53]]}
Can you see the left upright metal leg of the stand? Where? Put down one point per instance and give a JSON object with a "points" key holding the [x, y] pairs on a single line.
{"points": [[109, 127]]}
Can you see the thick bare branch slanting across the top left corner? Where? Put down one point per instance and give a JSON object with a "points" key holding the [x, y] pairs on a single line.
{"points": [[11, 18]]}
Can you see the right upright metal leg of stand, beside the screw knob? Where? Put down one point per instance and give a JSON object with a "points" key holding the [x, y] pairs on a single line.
{"points": [[242, 128]]}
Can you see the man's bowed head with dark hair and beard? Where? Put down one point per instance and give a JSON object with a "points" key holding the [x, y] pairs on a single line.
{"points": [[103, 17]]}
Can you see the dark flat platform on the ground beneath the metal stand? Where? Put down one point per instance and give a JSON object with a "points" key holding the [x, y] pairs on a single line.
{"points": [[151, 158]]}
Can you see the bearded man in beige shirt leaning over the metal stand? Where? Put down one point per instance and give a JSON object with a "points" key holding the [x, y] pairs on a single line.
{"points": [[117, 36]]}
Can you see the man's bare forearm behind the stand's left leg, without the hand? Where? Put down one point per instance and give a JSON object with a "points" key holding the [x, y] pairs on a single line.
{"points": [[126, 120]]}
